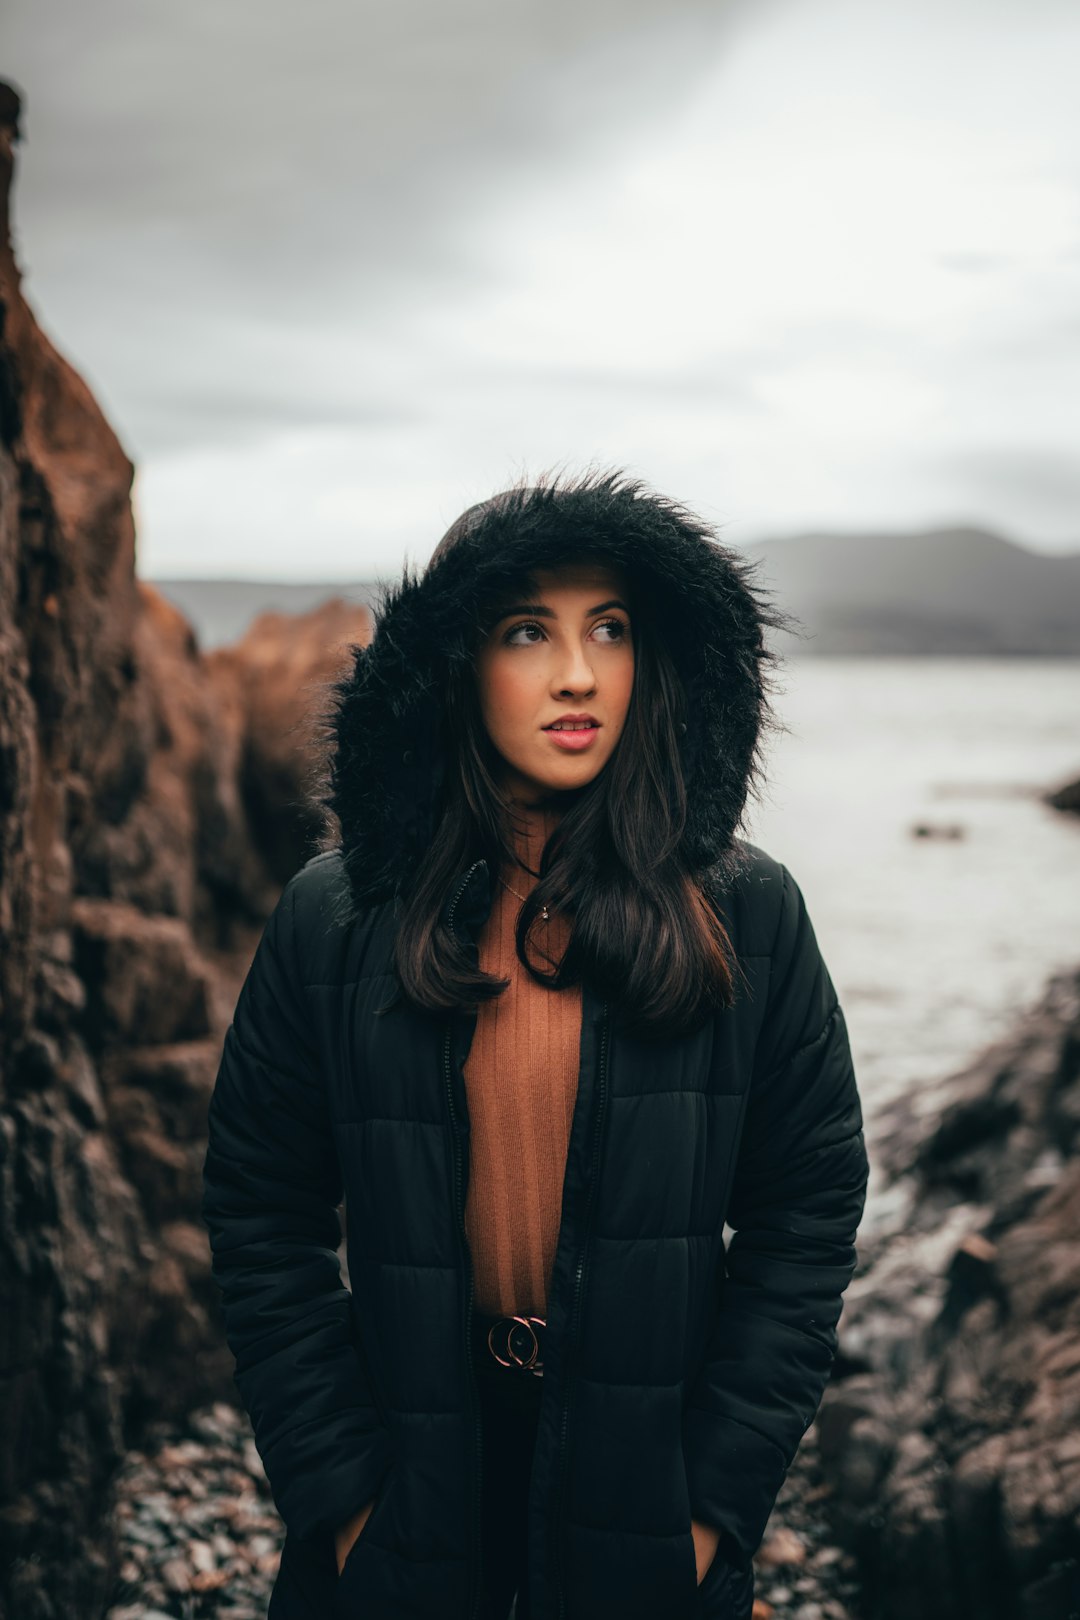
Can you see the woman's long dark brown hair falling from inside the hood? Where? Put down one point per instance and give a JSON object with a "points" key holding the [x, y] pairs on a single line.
{"points": [[644, 931]]}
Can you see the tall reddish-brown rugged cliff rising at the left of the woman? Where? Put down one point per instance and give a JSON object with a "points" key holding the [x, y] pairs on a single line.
{"points": [[151, 806]]}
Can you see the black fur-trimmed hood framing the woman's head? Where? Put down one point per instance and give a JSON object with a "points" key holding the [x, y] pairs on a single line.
{"points": [[386, 764]]}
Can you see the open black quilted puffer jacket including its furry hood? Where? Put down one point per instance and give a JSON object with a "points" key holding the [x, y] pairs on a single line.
{"points": [[679, 1375]]}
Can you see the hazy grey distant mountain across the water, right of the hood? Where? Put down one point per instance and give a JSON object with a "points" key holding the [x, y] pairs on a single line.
{"points": [[951, 590]]}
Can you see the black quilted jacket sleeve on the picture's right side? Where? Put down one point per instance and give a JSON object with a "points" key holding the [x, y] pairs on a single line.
{"points": [[797, 1200]]}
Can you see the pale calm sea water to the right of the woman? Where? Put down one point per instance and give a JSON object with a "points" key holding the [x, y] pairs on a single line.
{"points": [[935, 944]]}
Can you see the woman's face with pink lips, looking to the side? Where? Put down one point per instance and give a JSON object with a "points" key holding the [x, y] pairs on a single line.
{"points": [[563, 652]]}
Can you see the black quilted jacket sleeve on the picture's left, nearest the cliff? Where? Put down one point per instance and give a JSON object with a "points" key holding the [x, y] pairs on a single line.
{"points": [[271, 1192]]}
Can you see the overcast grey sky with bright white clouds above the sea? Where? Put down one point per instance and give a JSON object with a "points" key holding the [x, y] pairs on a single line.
{"points": [[339, 271]]}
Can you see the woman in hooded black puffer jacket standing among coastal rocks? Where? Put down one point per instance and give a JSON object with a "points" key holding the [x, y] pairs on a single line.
{"points": [[548, 1025]]}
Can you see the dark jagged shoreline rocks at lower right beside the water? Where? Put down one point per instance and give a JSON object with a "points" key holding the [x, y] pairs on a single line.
{"points": [[951, 1435]]}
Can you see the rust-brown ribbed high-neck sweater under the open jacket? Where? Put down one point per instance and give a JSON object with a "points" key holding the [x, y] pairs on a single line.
{"points": [[522, 1080]]}
